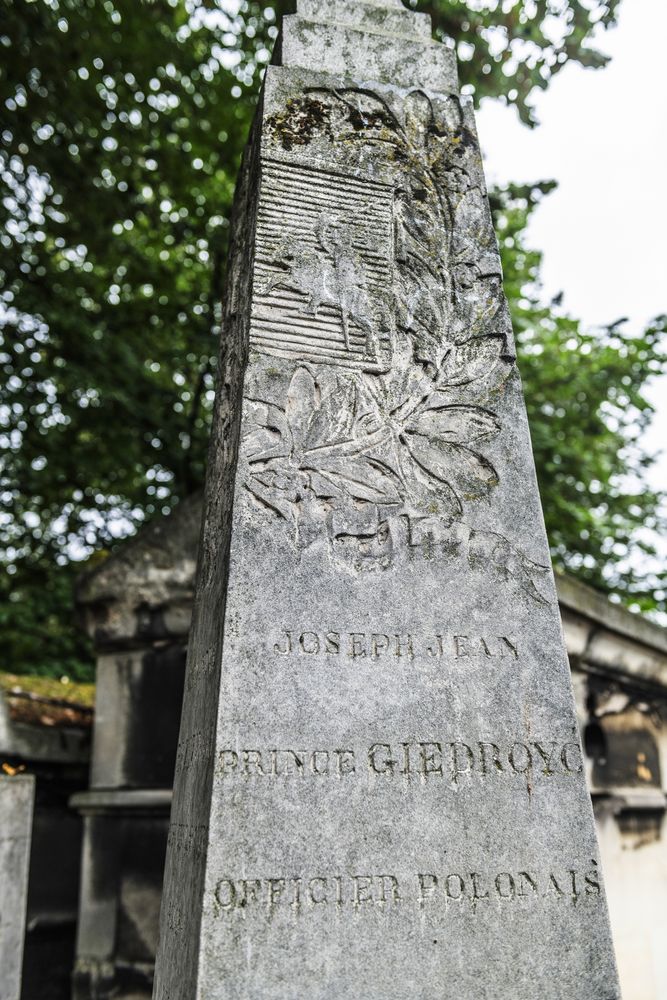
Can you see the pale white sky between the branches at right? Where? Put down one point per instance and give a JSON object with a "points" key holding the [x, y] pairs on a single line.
{"points": [[603, 137]]}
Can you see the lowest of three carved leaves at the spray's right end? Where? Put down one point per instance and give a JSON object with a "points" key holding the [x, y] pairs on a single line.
{"points": [[470, 474]]}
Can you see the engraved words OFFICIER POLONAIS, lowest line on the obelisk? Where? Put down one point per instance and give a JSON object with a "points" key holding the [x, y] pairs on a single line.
{"points": [[426, 890]]}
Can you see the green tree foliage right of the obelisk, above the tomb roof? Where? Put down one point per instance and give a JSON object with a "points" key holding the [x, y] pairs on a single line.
{"points": [[587, 412]]}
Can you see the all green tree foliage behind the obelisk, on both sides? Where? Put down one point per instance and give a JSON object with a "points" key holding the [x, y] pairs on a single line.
{"points": [[122, 123]]}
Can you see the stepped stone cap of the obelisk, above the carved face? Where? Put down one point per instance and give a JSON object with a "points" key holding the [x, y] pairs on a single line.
{"points": [[367, 40]]}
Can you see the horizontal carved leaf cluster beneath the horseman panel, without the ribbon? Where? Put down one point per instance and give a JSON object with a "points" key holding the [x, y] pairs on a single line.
{"points": [[344, 440]]}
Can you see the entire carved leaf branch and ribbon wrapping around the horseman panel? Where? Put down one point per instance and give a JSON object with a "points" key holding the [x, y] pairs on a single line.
{"points": [[350, 452]]}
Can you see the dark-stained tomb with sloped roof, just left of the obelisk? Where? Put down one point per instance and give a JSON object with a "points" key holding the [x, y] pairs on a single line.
{"points": [[136, 608]]}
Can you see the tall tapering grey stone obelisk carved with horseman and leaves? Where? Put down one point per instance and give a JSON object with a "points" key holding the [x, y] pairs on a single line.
{"points": [[379, 788]]}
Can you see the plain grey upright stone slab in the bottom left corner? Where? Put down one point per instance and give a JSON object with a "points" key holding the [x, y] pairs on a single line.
{"points": [[17, 795]]}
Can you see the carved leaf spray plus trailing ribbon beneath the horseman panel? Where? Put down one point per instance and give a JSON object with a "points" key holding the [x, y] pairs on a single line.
{"points": [[347, 455]]}
